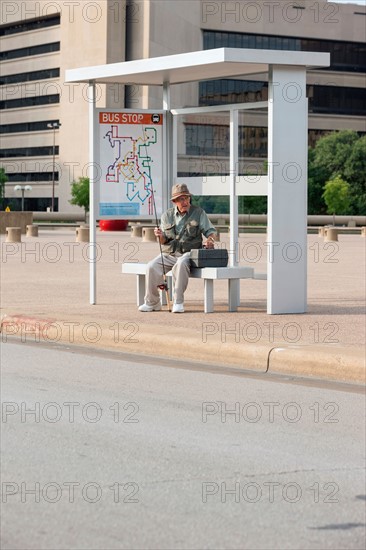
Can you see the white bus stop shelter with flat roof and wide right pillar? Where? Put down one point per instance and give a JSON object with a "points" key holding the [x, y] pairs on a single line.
{"points": [[286, 182]]}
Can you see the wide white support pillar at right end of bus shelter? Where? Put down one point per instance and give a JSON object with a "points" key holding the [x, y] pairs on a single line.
{"points": [[287, 190]]}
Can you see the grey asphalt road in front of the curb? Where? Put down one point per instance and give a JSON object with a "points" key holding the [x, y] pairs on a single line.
{"points": [[102, 450]]}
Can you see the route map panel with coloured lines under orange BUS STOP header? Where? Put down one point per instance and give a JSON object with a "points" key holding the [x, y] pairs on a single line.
{"points": [[130, 163]]}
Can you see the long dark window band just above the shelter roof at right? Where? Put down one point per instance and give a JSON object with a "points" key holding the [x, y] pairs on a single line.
{"points": [[344, 56]]}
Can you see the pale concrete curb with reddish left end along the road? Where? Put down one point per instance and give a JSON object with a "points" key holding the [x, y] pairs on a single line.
{"points": [[331, 361]]}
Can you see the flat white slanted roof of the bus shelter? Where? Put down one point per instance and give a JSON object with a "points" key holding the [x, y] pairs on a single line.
{"points": [[195, 66]]}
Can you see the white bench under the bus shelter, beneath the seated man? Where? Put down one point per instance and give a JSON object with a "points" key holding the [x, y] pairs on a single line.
{"points": [[208, 274]]}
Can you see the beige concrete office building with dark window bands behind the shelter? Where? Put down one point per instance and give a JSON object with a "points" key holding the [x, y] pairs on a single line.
{"points": [[44, 122]]}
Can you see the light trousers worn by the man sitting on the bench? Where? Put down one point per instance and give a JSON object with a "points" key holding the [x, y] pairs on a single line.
{"points": [[154, 276]]}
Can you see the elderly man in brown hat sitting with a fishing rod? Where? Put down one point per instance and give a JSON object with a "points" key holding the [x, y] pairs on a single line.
{"points": [[180, 231]]}
